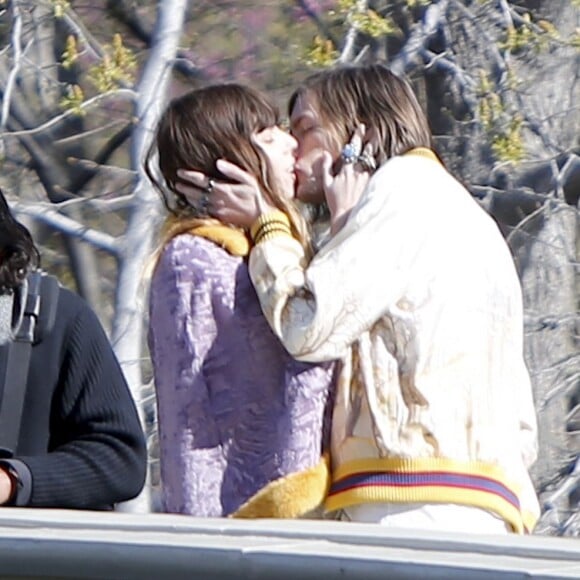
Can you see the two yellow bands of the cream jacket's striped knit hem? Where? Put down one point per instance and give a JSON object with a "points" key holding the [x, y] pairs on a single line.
{"points": [[520, 521]]}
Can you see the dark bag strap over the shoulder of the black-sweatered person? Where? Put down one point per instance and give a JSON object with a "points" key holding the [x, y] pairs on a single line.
{"points": [[16, 361]]}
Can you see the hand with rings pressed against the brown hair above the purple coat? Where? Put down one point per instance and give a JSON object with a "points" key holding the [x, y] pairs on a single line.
{"points": [[239, 203]]}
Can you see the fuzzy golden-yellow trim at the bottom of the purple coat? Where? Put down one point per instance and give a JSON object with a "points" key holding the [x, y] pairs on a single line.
{"points": [[291, 496]]}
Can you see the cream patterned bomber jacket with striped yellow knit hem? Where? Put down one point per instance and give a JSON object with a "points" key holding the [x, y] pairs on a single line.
{"points": [[419, 298]]}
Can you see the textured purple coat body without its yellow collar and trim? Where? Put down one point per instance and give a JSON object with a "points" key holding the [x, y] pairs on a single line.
{"points": [[235, 411]]}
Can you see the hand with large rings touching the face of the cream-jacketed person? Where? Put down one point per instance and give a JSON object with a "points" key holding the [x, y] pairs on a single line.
{"points": [[344, 189]]}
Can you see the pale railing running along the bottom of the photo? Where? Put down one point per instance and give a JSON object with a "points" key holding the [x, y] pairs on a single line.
{"points": [[74, 544]]}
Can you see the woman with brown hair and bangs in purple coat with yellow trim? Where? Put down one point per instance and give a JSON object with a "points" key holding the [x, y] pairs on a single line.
{"points": [[241, 423]]}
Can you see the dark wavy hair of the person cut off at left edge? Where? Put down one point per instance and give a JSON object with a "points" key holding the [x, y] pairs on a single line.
{"points": [[18, 254]]}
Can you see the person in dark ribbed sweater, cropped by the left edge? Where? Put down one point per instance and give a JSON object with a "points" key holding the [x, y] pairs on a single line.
{"points": [[81, 445]]}
